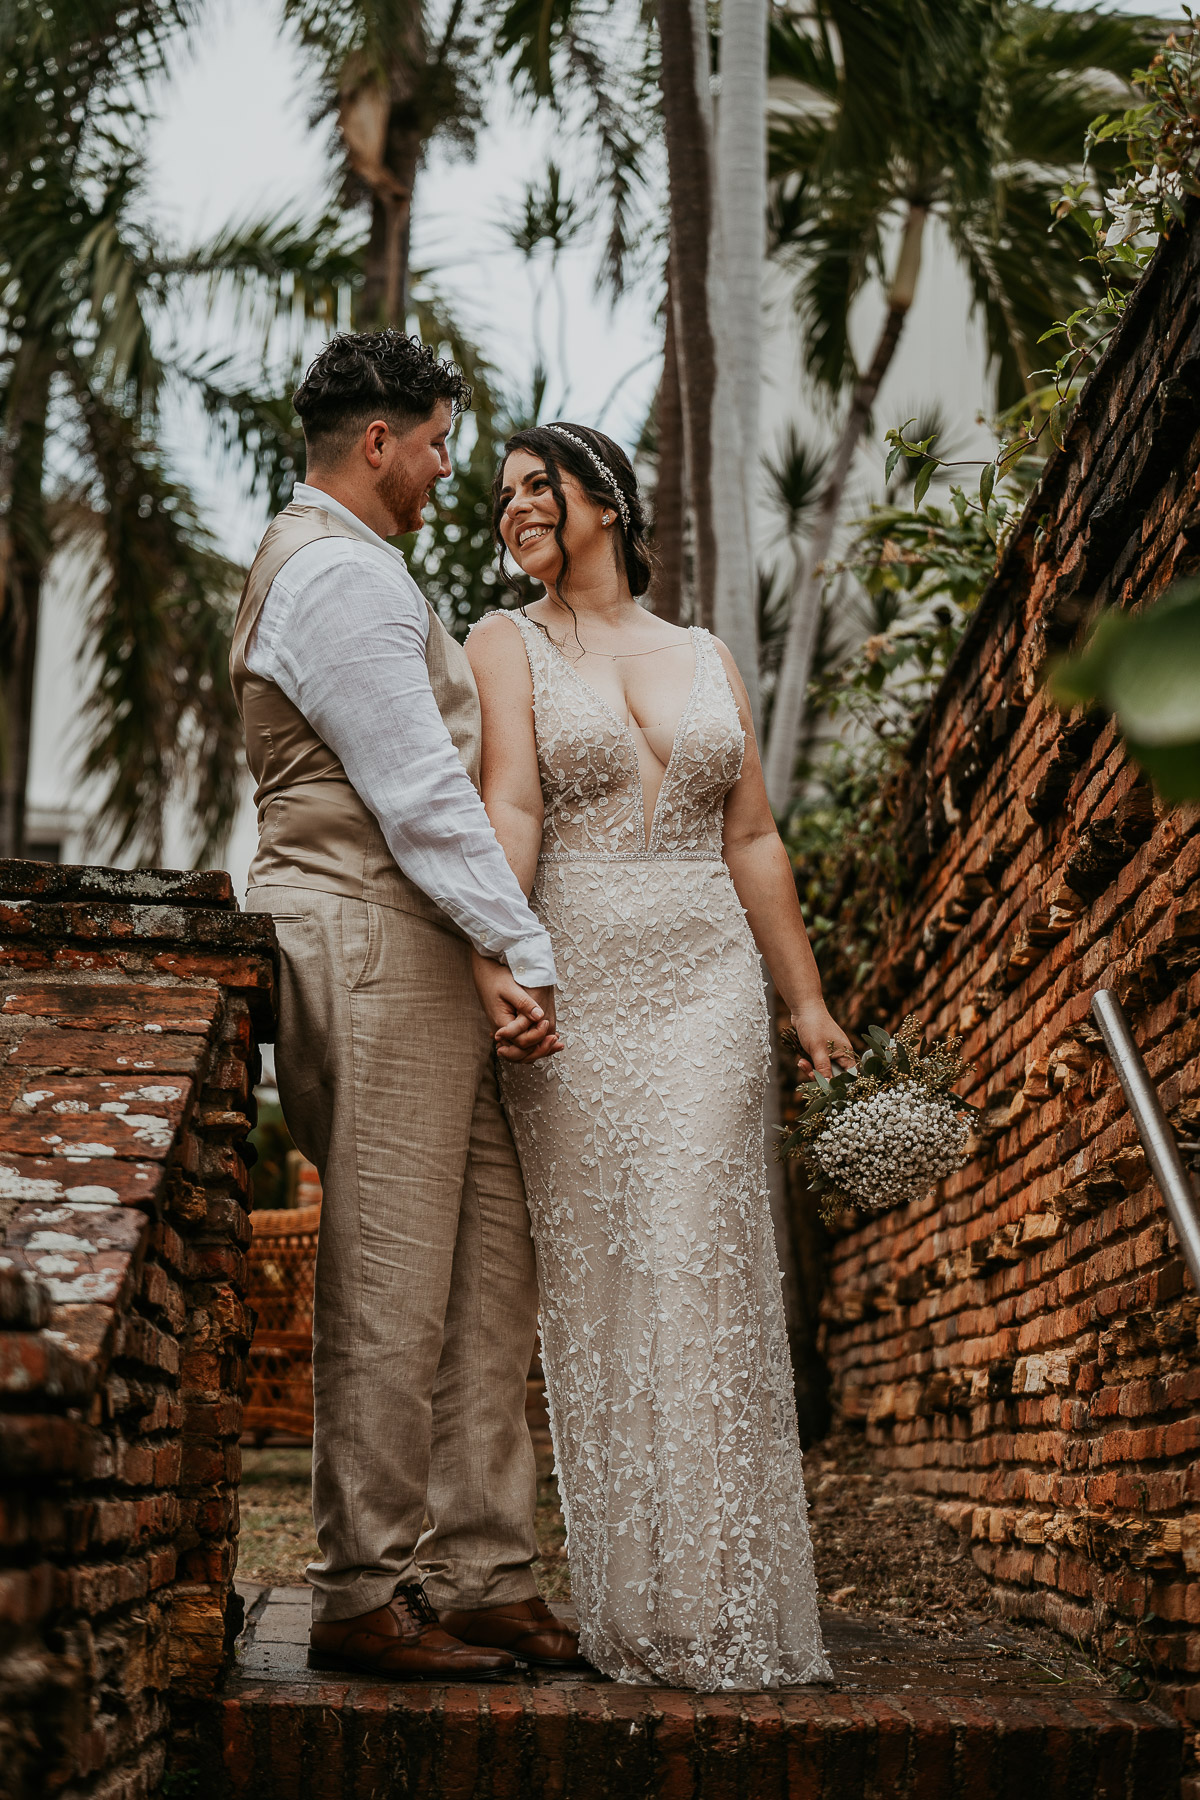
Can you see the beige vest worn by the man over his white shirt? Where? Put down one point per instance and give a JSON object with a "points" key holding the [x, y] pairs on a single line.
{"points": [[314, 829]]}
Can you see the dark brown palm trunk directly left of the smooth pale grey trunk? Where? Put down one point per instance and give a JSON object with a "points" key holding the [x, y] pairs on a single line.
{"points": [[688, 130]]}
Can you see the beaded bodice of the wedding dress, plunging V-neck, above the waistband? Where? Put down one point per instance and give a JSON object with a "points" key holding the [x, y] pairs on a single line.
{"points": [[591, 778]]}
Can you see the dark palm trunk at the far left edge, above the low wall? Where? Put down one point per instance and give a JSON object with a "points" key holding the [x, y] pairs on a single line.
{"points": [[24, 553]]}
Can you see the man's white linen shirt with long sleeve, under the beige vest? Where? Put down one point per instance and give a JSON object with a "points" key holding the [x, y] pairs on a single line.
{"points": [[343, 633]]}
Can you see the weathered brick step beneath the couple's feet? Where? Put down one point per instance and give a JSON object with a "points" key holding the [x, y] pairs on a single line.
{"points": [[906, 1722]]}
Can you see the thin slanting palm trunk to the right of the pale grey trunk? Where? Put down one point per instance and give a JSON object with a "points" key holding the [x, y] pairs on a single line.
{"points": [[798, 658]]}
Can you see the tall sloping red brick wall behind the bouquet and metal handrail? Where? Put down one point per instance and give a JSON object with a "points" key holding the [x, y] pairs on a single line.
{"points": [[1025, 1345]]}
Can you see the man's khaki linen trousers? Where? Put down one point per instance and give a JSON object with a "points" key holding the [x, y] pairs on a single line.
{"points": [[425, 1306]]}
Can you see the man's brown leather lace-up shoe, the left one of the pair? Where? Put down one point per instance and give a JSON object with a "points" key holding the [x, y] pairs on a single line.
{"points": [[404, 1642]]}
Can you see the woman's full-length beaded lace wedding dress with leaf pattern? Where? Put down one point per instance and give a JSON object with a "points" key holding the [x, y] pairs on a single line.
{"points": [[663, 1327]]}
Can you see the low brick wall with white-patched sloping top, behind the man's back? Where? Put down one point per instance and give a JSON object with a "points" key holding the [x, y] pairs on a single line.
{"points": [[129, 1014]]}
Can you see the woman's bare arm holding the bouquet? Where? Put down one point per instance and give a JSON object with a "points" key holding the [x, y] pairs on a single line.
{"points": [[762, 876]]}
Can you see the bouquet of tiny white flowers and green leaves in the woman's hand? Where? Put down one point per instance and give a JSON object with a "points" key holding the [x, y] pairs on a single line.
{"points": [[881, 1137]]}
